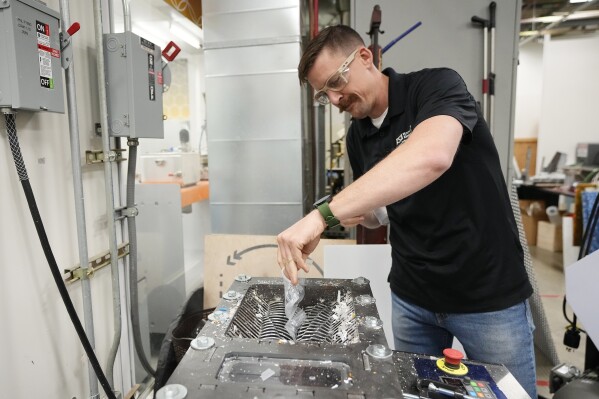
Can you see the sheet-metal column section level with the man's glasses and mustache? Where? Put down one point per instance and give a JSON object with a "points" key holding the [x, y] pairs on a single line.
{"points": [[253, 107]]}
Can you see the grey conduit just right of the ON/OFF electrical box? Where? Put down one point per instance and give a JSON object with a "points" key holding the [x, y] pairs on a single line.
{"points": [[79, 202]]}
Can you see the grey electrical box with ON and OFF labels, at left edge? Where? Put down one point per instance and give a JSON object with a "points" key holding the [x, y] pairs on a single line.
{"points": [[30, 64]]}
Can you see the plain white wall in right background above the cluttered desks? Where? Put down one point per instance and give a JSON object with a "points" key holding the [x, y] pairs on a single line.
{"points": [[557, 94]]}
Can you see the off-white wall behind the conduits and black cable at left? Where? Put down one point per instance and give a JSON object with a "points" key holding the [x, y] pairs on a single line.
{"points": [[41, 354]]}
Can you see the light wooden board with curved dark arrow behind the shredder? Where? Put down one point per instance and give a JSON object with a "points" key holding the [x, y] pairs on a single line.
{"points": [[228, 255]]}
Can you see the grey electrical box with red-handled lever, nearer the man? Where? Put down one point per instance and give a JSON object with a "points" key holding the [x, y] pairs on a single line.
{"points": [[134, 86]]}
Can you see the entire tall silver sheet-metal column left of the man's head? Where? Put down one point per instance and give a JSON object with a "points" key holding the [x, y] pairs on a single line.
{"points": [[253, 111]]}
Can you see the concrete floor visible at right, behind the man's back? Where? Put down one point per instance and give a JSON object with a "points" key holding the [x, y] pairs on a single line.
{"points": [[551, 283]]}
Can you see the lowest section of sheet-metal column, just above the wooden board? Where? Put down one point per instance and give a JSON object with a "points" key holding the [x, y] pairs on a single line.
{"points": [[253, 218]]}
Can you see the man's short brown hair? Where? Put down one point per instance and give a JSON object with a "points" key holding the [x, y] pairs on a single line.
{"points": [[338, 38]]}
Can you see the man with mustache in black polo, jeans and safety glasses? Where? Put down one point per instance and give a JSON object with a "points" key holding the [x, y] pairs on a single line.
{"points": [[421, 151]]}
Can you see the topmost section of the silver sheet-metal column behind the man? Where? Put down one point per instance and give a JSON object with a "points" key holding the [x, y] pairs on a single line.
{"points": [[249, 20]]}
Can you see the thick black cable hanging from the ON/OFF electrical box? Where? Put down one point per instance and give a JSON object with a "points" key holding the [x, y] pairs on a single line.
{"points": [[11, 129]]}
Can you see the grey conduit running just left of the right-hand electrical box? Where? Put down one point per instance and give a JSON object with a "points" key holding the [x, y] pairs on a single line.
{"points": [[109, 157]]}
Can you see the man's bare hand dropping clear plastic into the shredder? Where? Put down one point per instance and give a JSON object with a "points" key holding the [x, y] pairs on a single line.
{"points": [[297, 242]]}
